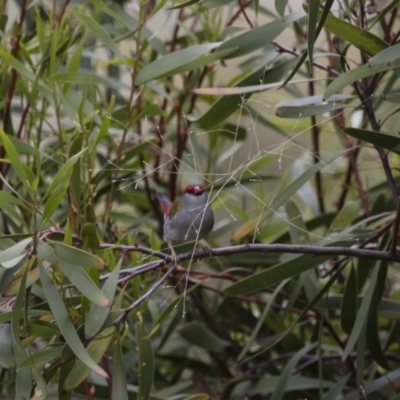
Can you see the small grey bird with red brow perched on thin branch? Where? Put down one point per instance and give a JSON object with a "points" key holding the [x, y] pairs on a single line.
{"points": [[188, 219]]}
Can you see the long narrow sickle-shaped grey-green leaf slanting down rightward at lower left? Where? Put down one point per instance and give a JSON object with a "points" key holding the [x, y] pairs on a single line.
{"points": [[65, 324]]}
